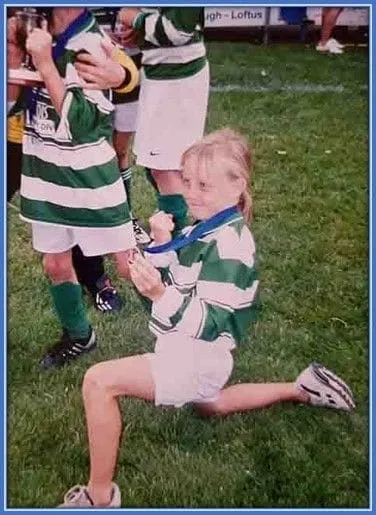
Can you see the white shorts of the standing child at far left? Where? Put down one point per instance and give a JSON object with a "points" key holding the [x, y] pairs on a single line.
{"points": [[53, 239]]}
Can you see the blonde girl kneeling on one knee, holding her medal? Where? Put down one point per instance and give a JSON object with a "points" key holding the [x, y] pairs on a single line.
{"points": [[200, 312]]}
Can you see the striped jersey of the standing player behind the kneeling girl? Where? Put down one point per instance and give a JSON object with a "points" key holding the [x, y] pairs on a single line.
{"points": [[172, 41]]}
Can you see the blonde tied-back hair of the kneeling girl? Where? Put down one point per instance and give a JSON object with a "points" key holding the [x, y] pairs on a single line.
{"points": [[230, 152]]}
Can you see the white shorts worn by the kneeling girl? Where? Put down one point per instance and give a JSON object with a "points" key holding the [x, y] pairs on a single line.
{"points": [[187, 370]]}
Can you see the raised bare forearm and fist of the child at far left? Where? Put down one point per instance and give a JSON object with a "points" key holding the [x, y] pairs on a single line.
{"points": [[39, 45]]}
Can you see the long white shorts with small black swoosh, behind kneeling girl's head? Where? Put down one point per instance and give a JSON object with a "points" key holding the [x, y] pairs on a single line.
{"points": [[171, 117]]}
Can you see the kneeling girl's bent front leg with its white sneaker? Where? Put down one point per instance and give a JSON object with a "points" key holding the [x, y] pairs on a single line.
{"points": [[103, 383]]}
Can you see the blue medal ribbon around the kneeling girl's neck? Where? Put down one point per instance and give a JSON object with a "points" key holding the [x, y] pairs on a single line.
{"points": [[200, 230]]}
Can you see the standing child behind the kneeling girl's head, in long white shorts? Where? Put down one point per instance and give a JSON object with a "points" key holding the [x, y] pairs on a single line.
{"points": [[173, 96]]}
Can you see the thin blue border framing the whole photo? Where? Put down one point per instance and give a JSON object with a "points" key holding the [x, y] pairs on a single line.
{"points": [[3, 239]]}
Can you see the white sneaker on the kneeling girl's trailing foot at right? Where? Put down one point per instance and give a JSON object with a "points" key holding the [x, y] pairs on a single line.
{"points": [[324, 388]]}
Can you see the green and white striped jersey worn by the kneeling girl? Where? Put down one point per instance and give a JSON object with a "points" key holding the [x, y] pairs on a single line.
{"points": [[212, 286]]}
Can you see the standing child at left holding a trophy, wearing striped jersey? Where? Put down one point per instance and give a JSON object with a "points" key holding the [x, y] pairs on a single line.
{"points": [[71, 189]]}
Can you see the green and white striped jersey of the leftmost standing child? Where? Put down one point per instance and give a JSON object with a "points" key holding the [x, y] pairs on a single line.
{"points": [[70, 173]]}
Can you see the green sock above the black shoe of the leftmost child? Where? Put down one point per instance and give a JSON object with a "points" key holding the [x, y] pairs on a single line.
{"points": [[69, 305]]}
